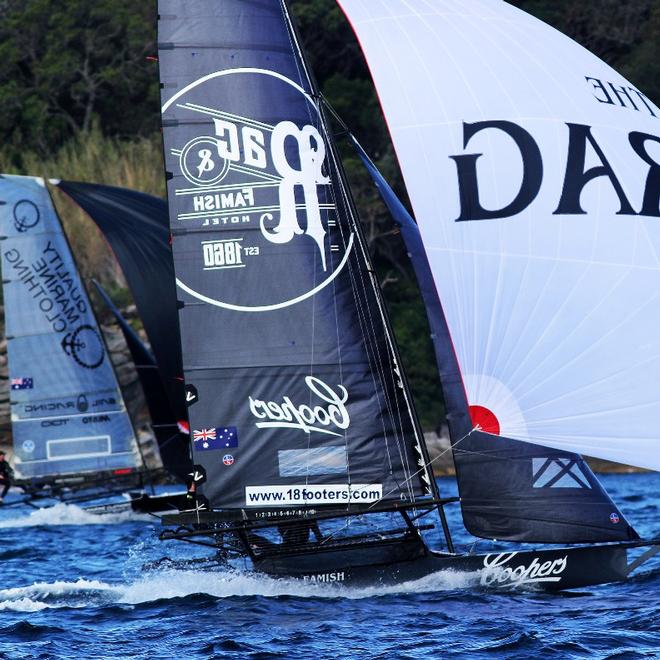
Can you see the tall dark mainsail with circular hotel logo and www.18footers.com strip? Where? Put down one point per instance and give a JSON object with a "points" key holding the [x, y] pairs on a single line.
{"points": [[295, 397]]}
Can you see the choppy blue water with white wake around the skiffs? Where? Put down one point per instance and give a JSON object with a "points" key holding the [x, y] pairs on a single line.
{"points": [[73, 586]]}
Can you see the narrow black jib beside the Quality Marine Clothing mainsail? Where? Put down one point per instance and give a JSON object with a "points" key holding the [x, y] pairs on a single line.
{"points": [[173, 445]]}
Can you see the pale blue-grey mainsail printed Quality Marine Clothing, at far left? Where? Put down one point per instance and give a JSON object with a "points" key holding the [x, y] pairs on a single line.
{"points": [[67, 412]]}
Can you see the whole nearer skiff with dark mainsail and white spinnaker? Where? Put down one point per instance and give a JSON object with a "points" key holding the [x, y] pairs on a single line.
{"points": [[530, 168]]}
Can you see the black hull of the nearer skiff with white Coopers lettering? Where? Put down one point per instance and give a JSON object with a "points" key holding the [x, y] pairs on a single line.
{"points": [[541, 570]]}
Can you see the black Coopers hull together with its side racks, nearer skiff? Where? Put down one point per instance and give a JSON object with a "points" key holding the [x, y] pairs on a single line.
{"points": [[397, 556]]}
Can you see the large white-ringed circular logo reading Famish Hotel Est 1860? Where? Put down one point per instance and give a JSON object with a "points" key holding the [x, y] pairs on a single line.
{"points": [[258, 224]]}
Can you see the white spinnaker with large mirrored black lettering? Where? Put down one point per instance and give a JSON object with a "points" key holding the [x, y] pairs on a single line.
{"points": [[555, 318]]}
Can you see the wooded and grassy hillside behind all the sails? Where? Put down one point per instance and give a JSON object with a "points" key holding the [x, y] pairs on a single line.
{"points": [[80, 101]]}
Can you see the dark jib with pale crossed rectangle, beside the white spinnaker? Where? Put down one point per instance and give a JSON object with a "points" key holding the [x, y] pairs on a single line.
{"points": [[510, 490]]}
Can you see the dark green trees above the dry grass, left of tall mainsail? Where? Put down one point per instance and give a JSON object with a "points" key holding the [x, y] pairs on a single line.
{"points": [[64, 65]]}
